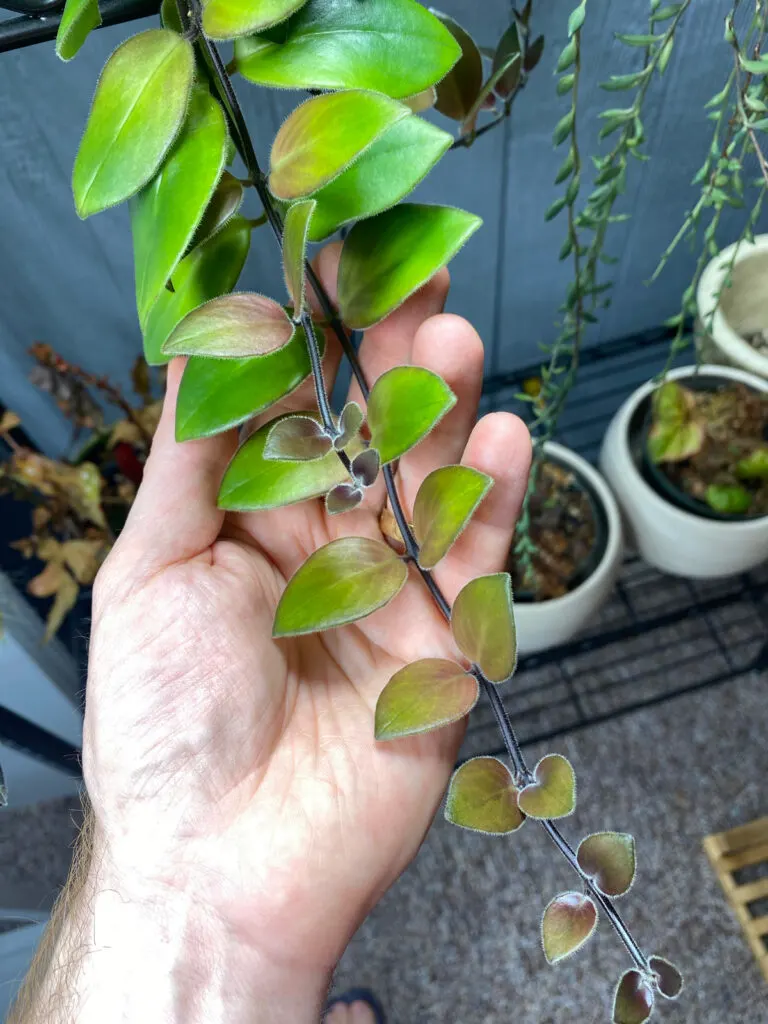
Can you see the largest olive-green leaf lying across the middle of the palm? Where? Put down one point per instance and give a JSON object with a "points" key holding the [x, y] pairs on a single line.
{"points": [[343, 582]]}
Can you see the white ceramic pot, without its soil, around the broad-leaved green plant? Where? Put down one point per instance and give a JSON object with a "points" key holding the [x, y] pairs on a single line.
{"points": [[669, 538]]}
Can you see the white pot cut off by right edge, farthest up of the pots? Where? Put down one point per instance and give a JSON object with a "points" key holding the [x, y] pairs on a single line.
{"points": [[743, 309]]}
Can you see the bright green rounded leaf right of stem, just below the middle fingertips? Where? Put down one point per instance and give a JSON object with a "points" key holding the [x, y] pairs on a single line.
{"points": [[406, 403]]}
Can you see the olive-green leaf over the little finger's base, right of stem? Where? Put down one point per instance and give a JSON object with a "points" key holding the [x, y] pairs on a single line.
{"points": [[445, 504]]}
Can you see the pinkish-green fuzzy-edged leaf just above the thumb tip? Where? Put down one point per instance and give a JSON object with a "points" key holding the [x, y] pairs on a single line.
{"points": [[232, 327]]}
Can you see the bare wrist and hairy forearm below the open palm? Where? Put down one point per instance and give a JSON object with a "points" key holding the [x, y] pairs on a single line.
{"points": [[115, 952]]}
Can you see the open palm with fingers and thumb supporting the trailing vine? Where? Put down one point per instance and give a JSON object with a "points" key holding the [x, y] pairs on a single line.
{"points": [[246, 770]]}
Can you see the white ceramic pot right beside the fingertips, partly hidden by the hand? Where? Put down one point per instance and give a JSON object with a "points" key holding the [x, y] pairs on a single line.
{"points": [[546, 624]]}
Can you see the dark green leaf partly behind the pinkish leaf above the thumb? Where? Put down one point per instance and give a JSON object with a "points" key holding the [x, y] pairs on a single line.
{"points": [[209, 271]]}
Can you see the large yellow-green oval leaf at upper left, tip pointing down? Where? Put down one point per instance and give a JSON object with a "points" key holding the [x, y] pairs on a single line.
{"points": [[138, 111]]}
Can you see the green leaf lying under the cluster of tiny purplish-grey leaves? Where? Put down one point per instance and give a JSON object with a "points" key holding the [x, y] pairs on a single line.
{"points": [[253, 484]]}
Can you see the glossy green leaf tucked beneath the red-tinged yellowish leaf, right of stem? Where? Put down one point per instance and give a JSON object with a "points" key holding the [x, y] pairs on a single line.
{"points": [[386, 174]]}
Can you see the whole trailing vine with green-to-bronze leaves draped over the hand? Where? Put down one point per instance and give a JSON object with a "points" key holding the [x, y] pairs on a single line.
{"points": [[164, 129]]}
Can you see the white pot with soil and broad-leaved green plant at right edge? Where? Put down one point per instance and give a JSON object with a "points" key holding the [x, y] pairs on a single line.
{"points": [[688, 461]]}
